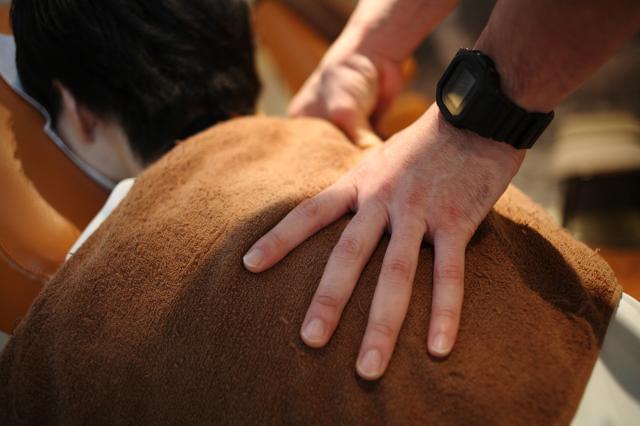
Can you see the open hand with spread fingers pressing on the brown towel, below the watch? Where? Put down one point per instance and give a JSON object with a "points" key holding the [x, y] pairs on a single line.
{"points": [[429, 181]]}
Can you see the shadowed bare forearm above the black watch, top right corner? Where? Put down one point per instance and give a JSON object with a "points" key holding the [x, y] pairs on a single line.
{"points": [[545, 49]]}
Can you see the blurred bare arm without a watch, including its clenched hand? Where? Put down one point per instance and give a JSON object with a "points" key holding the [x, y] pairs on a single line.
{"points": [[361, 73]]}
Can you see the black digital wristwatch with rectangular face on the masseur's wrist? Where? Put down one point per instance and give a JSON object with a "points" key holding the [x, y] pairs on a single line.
{"points": [[469, 97]]}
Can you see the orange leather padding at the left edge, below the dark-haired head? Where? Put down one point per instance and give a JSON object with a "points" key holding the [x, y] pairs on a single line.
{"points": [[46, 201]]}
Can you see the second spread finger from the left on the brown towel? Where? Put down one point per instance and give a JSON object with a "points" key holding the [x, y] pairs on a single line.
{"points": [[341, 274]]}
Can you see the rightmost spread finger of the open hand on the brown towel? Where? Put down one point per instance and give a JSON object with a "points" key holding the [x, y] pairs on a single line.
{"points": [[448, 292]]}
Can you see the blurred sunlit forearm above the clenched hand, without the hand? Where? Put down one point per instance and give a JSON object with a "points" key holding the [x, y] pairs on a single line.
{"points": [[392, 29]]}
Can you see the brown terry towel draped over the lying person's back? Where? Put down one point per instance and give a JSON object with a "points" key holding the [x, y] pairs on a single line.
{"points": [[155, 320]]}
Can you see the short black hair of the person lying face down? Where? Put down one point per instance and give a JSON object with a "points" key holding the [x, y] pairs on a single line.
{"points": [[164, 69]]}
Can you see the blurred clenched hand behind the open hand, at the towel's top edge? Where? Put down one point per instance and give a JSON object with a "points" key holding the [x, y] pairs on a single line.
{"points": [[349, 88]]}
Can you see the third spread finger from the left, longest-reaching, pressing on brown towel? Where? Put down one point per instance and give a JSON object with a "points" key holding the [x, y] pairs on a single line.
{"points": [[391, 300]]}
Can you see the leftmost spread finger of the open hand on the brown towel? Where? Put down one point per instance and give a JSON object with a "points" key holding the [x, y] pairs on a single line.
{"points": [[305, 220]]}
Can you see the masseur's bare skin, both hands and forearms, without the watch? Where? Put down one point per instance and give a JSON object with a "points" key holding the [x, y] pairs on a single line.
{"points": [[431, 181]]}
